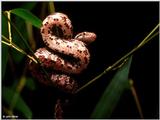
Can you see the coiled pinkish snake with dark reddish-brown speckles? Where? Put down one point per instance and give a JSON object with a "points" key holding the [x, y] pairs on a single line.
{"points": [[63, 54]]}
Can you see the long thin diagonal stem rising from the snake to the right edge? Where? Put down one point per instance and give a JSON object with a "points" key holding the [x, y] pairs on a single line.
{"points": [[144, 41]]}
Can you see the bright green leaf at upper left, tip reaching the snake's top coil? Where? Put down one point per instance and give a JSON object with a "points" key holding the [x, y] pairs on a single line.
{"points": [[28, 16]]}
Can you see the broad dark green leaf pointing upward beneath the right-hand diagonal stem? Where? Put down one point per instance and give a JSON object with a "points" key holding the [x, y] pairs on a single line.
{"points": [[112, 93]]}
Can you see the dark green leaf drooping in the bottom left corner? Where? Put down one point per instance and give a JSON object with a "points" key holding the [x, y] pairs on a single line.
{"points": [[9, 96]]}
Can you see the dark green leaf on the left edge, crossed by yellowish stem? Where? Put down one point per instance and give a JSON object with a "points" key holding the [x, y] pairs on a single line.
{"points": [[4, 47]]}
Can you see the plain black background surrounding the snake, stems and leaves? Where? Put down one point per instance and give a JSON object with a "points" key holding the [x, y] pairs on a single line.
{"points": [[119, 26]]}
